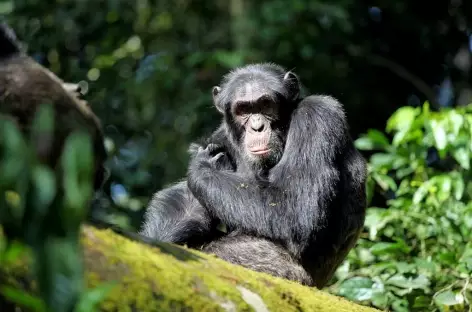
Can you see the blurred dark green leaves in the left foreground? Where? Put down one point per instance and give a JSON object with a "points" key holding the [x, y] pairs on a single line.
{"points": [[43, 214]]}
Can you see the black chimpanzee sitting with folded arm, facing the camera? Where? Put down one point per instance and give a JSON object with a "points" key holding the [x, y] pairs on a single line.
{"points": [[282, 174]]}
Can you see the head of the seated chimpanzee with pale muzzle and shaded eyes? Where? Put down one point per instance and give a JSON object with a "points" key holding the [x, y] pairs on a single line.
{"points": [[257, 101]]}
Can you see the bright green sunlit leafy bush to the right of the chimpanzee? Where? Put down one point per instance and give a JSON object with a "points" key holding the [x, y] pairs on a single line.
{"points": [[417, 254]]}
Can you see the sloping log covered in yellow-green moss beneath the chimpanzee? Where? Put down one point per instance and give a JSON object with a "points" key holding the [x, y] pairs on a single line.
{"points": [[167, 277]]}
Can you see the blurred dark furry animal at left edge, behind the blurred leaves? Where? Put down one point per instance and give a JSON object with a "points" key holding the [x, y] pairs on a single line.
{"points": [[25, 85]]}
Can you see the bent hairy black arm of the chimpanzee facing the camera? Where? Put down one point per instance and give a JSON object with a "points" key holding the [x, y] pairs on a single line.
{"points": [[301, 186]]}
